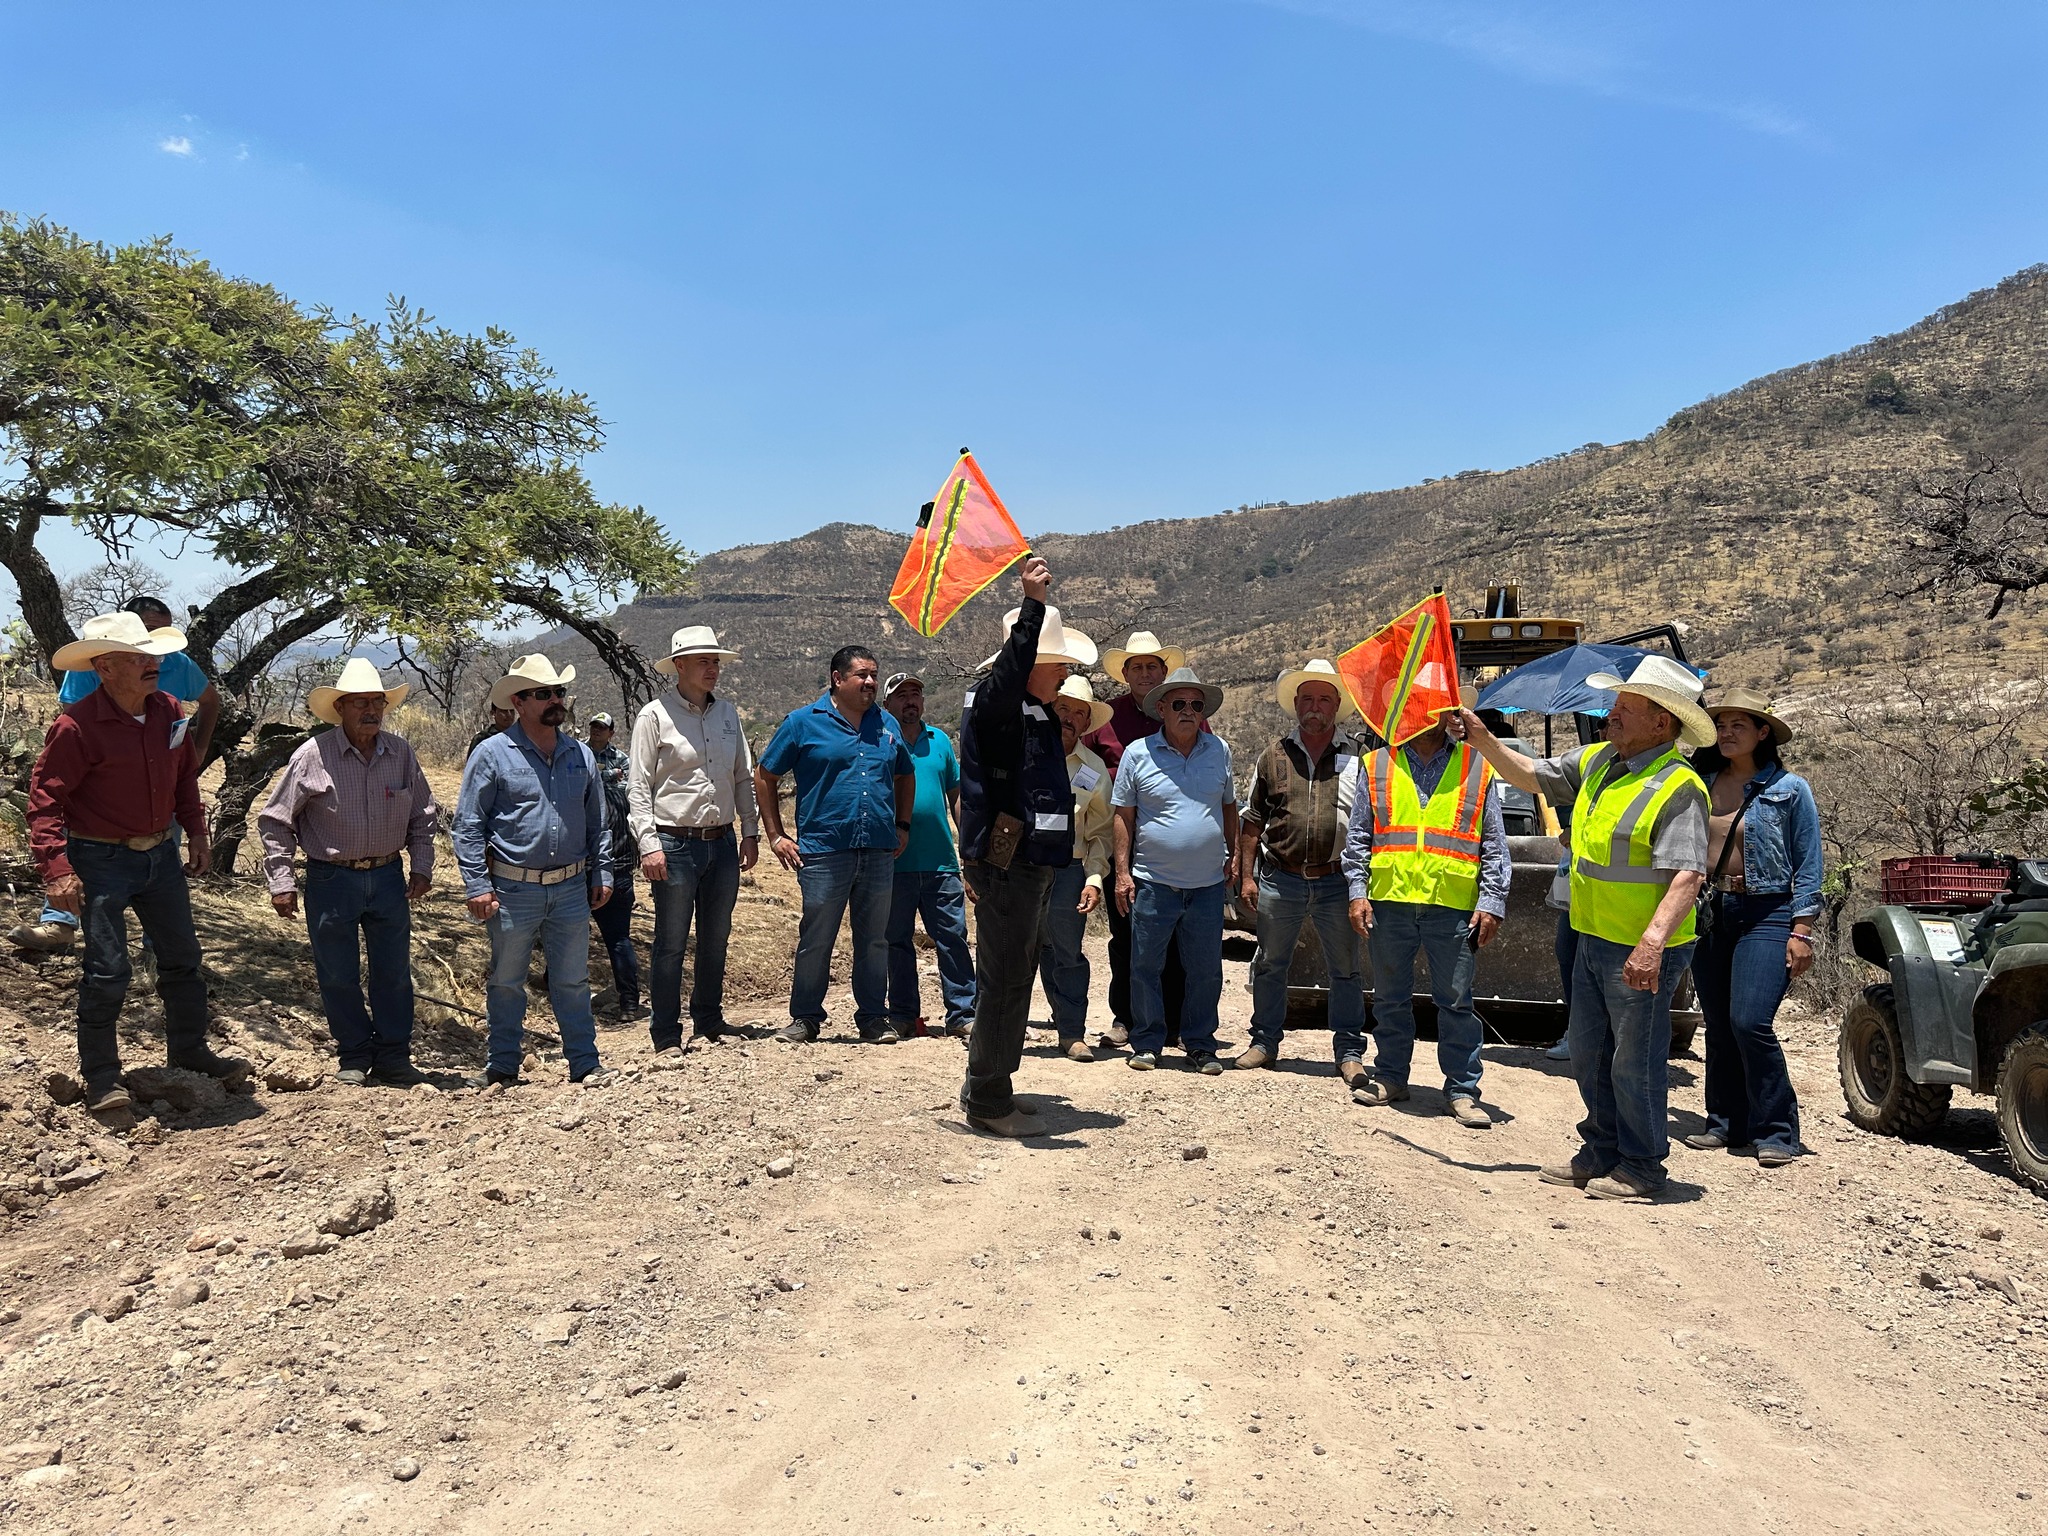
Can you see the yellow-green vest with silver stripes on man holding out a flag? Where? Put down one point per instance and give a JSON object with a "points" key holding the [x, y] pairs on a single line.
{"points": [[1615, 892]]}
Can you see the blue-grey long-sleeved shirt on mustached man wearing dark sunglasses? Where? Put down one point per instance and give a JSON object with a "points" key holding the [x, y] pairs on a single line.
{"points": [[525, 810]]}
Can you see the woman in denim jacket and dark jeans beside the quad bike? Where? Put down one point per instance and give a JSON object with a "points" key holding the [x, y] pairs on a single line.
{"points": [[1764, 853]]}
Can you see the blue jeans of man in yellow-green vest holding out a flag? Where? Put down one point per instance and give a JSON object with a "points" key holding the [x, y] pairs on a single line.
{"points": [[1621, 1041]]}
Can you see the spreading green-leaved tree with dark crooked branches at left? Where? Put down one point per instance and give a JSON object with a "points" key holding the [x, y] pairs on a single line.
{"points": [[355, 476]]}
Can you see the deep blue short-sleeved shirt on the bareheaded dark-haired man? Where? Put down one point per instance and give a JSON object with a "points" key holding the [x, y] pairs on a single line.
{"points": [[845, 777]]}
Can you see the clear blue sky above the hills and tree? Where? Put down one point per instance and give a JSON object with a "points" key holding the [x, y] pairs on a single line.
{"points": [[1148, 257]]}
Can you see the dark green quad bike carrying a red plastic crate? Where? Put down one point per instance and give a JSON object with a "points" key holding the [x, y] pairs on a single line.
{"points": [[1965, 1007]]}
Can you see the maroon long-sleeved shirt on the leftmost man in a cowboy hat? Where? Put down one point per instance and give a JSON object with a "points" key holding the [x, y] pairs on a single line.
{"points": [[105, 775]]}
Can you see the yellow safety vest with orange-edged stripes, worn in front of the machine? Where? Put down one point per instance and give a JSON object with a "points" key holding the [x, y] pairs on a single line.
{"points": [[1426, 853]]}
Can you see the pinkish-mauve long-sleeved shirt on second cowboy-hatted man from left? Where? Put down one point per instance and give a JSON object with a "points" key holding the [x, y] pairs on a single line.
{"points": [[337, 804]]}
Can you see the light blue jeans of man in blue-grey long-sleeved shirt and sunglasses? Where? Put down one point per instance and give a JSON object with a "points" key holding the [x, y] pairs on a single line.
{"points": [[558, 919]]}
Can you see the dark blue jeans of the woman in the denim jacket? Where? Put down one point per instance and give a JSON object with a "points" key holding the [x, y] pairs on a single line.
{"points": [[1740, 972]]}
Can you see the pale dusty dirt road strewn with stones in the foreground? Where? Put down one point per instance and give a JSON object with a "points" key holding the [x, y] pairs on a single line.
{"points": [[603, 1314]]}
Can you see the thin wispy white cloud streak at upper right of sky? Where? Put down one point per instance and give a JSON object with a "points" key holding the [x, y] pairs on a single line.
{"points": [[1535, 42]]}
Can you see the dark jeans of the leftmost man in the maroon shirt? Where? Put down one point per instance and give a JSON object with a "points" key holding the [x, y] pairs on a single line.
{"points": [[153, 884]]}
